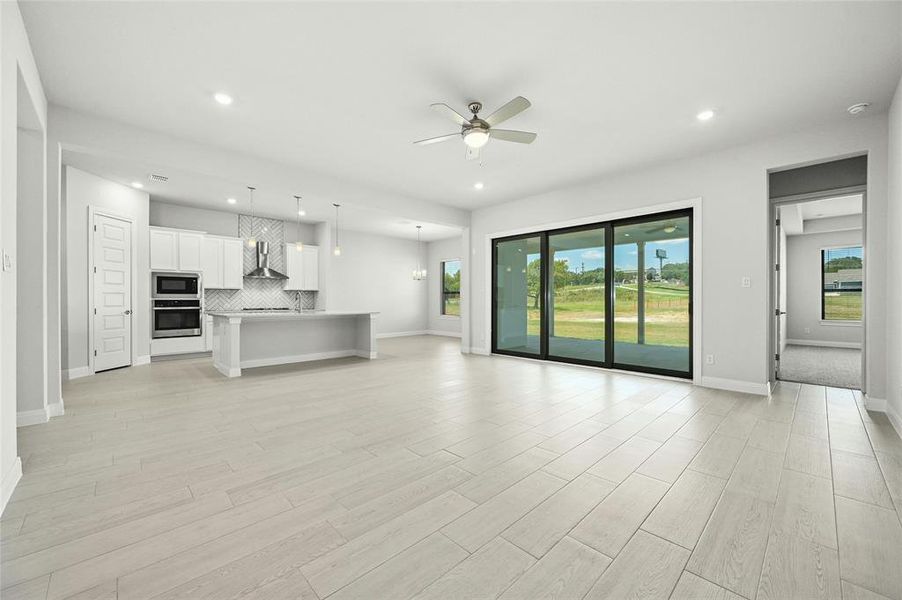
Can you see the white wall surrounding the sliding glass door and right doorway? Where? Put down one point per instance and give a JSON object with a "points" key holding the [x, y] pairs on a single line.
{"points": [[735, 321]]}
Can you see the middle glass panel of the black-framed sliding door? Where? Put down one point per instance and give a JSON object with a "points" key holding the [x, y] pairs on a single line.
{"points": [[576, 295]]}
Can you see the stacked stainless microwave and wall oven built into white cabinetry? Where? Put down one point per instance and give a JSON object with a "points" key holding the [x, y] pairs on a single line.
{"points": [[177, 307]]}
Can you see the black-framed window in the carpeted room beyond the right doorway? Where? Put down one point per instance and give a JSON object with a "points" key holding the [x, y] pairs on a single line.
{"points": [[841, 275]]}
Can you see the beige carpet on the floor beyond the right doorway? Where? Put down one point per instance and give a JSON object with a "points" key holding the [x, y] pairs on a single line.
{"points": [[835, 367]]}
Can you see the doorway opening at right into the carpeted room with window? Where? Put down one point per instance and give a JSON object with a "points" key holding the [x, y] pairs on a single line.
{"points": [[820, 265]]}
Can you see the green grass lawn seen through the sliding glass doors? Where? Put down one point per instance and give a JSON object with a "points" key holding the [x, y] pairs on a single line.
{"points": [[578, 312]]}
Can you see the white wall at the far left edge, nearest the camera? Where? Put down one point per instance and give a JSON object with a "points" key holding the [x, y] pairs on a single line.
{"points": [[16, 61]]}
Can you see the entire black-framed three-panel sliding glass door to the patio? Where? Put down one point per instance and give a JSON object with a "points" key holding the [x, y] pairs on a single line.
{"points": [[615, 294]]}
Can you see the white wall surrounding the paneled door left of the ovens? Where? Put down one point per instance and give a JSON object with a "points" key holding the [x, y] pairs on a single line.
{"points": [[81, 191]]}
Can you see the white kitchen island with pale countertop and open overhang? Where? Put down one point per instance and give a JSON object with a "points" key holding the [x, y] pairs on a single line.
{"points": [[246, 339]]}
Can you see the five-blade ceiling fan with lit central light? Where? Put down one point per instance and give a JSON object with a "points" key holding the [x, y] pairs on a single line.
{"points": [[476, 132]]}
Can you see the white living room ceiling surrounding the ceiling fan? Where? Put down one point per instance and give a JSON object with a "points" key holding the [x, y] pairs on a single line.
{"points": [[344, 88]]}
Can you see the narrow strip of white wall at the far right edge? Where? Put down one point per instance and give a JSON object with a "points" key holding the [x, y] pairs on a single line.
{"points": [[894, 252]]}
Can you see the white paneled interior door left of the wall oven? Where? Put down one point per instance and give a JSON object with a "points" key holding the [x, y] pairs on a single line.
{"points": [[112, 293]]}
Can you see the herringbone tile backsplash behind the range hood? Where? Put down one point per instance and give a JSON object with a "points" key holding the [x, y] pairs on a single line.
{"points": [[259, 293]]}
